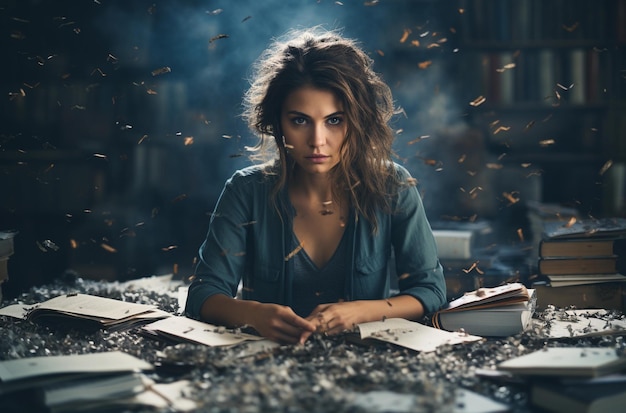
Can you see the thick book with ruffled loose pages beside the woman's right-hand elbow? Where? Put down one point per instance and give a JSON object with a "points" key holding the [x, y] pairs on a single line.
{"points": [[493, 312]]}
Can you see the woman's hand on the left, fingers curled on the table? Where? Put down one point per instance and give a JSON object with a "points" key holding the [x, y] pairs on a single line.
{"points": [[279, 323]]}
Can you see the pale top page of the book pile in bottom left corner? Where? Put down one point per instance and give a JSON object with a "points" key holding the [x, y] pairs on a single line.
{"points": [[107, 362]]}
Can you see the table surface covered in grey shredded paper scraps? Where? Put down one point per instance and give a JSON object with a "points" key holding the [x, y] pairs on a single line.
{"points": [[327, 374]]}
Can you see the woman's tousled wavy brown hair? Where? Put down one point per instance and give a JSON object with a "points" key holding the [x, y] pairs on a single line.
{"points": [[326, 60]]}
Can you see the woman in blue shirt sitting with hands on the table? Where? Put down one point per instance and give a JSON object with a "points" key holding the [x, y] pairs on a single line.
{"points": [[312, 232]]}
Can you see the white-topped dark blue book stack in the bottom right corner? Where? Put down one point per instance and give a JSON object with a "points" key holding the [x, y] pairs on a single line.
{"points": [[573, 379]]}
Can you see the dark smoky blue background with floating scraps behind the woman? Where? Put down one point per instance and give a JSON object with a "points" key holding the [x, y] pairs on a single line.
{"points": [[110, 167]]}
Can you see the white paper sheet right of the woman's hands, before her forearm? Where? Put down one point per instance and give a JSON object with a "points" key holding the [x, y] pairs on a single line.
{"points": [[412, 335]]}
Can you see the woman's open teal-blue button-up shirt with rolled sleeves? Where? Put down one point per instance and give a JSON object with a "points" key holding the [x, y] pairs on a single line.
{"points": [[249, 240]]}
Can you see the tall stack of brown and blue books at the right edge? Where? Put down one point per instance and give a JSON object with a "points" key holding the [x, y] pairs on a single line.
{"points": [[582, 257]]}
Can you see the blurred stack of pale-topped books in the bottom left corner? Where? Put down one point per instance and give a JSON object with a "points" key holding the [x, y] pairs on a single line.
{"points": [[107, 381]]}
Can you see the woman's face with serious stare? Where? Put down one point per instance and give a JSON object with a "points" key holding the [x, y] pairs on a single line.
{"points": [[314, 126]]}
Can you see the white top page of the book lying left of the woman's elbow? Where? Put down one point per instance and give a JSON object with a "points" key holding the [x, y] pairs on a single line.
{"points": [[94, 306]]}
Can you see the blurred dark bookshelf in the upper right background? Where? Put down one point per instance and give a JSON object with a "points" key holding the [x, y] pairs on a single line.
{"points": [[545, 80]]}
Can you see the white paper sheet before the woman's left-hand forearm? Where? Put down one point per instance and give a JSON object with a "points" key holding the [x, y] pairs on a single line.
{"points": [[199, 332]]}
